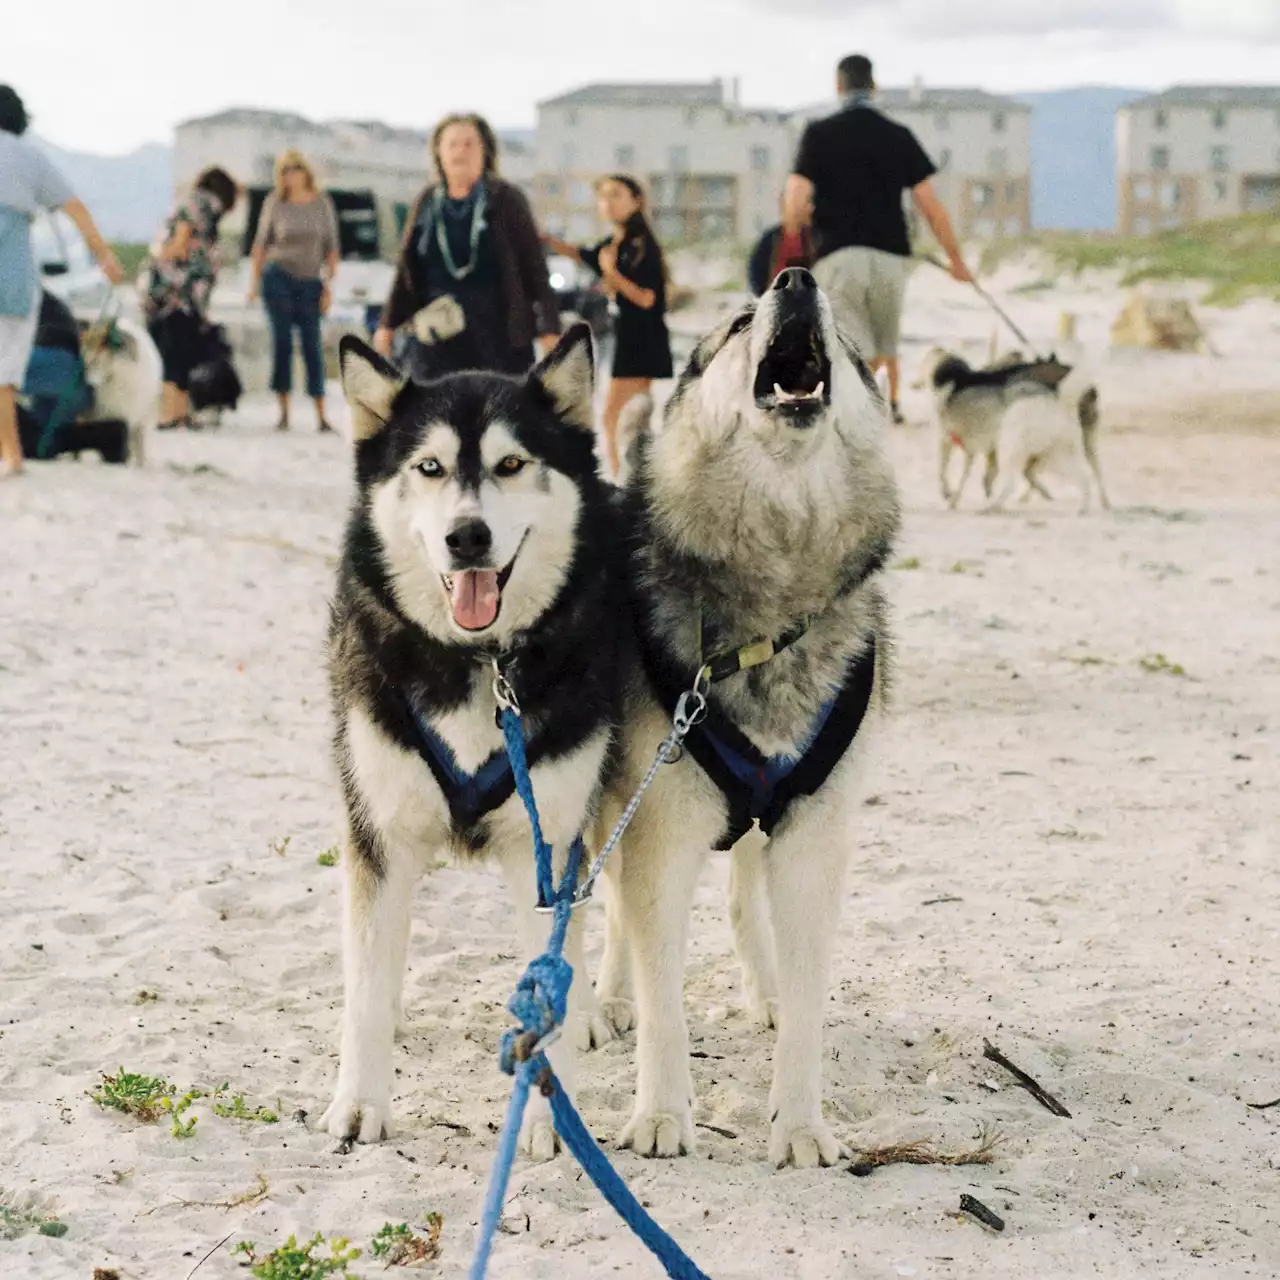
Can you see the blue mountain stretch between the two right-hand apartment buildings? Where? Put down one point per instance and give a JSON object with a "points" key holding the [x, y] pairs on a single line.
{"points": [[1075, 157]]}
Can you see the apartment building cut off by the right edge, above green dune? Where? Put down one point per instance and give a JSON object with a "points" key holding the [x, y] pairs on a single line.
{"points": [[1197, 152]]}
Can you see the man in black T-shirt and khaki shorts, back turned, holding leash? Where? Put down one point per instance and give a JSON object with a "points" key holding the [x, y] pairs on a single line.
{"points": [[854, 167]]}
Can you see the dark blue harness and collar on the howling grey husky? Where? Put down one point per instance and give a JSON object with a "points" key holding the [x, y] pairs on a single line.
{"points": [[758, 788]]}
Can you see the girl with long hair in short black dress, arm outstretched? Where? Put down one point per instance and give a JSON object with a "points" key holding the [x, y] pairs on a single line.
{"points": [[632, 267]]}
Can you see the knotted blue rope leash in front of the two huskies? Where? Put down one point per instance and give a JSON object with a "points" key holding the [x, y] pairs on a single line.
{"points": [[540, 1004]]}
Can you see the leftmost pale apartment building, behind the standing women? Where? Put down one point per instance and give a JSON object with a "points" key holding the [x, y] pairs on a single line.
{"points": [[373, 171]]}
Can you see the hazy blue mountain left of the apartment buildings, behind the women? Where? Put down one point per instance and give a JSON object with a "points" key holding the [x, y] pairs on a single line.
{"points": [[129, 195]]}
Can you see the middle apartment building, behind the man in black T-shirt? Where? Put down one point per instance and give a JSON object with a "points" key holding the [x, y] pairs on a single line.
{"points": [[715, 168]]}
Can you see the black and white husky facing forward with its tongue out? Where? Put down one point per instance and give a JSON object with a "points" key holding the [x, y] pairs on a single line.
{"points": [[481, 532]]}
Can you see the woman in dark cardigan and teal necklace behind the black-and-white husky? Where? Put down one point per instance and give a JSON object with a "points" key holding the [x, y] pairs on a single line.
{"points": [[472, 287]]}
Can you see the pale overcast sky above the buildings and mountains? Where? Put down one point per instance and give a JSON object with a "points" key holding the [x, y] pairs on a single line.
{"points": [[111, 76]]}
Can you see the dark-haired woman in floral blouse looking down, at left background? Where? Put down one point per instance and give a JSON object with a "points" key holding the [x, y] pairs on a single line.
{"points": [[181, 278]]}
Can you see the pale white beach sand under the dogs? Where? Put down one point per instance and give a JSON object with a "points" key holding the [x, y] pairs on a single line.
{"points": [[1112, 836]]}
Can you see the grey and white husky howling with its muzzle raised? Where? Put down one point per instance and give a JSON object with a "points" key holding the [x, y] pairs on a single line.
{"points": [[765, 511]]}
